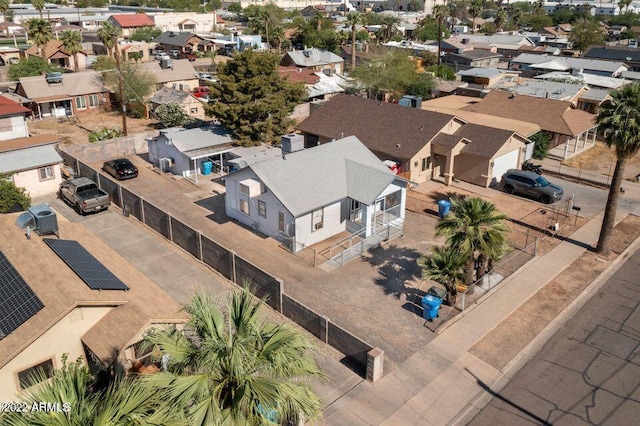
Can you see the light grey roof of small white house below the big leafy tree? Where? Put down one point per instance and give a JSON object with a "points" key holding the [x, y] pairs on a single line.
{"points": [[197, 141]]}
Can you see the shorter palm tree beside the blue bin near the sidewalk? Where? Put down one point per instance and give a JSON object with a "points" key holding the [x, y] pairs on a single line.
{"points": [[446, 266]]}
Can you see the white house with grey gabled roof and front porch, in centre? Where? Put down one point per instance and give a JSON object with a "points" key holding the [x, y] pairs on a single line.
{"points": [[305, 197]]}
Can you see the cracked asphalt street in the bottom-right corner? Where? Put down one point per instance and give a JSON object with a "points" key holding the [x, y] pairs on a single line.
{"points": [[588, 372]]}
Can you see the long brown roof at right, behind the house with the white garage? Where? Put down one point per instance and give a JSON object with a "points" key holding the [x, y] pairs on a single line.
{"points": [[550, 114]]}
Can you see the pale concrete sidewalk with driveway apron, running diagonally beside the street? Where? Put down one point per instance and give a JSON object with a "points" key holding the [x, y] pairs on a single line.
{"points": [[440, 384]]}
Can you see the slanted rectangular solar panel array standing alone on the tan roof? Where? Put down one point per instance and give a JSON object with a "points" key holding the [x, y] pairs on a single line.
{"points": [[87, 267]]}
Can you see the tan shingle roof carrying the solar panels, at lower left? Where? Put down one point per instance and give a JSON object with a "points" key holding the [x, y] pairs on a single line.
{"points": [[61, 290]]}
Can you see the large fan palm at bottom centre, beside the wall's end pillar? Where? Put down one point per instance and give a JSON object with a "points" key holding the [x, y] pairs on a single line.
{"points": [[230, 367]]}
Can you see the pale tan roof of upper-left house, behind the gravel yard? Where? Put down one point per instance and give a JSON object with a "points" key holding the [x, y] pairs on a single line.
{"points": [[73, 84]]}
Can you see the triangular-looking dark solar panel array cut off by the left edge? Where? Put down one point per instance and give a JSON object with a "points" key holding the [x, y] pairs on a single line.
{"points": [[18, 302]]}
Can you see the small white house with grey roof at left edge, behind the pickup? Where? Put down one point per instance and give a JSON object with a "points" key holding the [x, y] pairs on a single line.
{"points": [[32, 163]]}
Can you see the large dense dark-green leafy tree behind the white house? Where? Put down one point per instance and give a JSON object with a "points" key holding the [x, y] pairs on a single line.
{"points": [[254, 102]]}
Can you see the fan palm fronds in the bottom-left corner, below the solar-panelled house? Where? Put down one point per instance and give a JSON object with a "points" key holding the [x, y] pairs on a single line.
{"points": [[126, 401]]}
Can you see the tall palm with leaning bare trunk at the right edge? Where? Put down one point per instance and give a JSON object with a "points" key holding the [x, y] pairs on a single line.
{"points": [[619, 119]]}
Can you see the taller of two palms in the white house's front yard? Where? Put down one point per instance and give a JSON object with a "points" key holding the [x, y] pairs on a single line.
{"points": [[473, 226]]}
